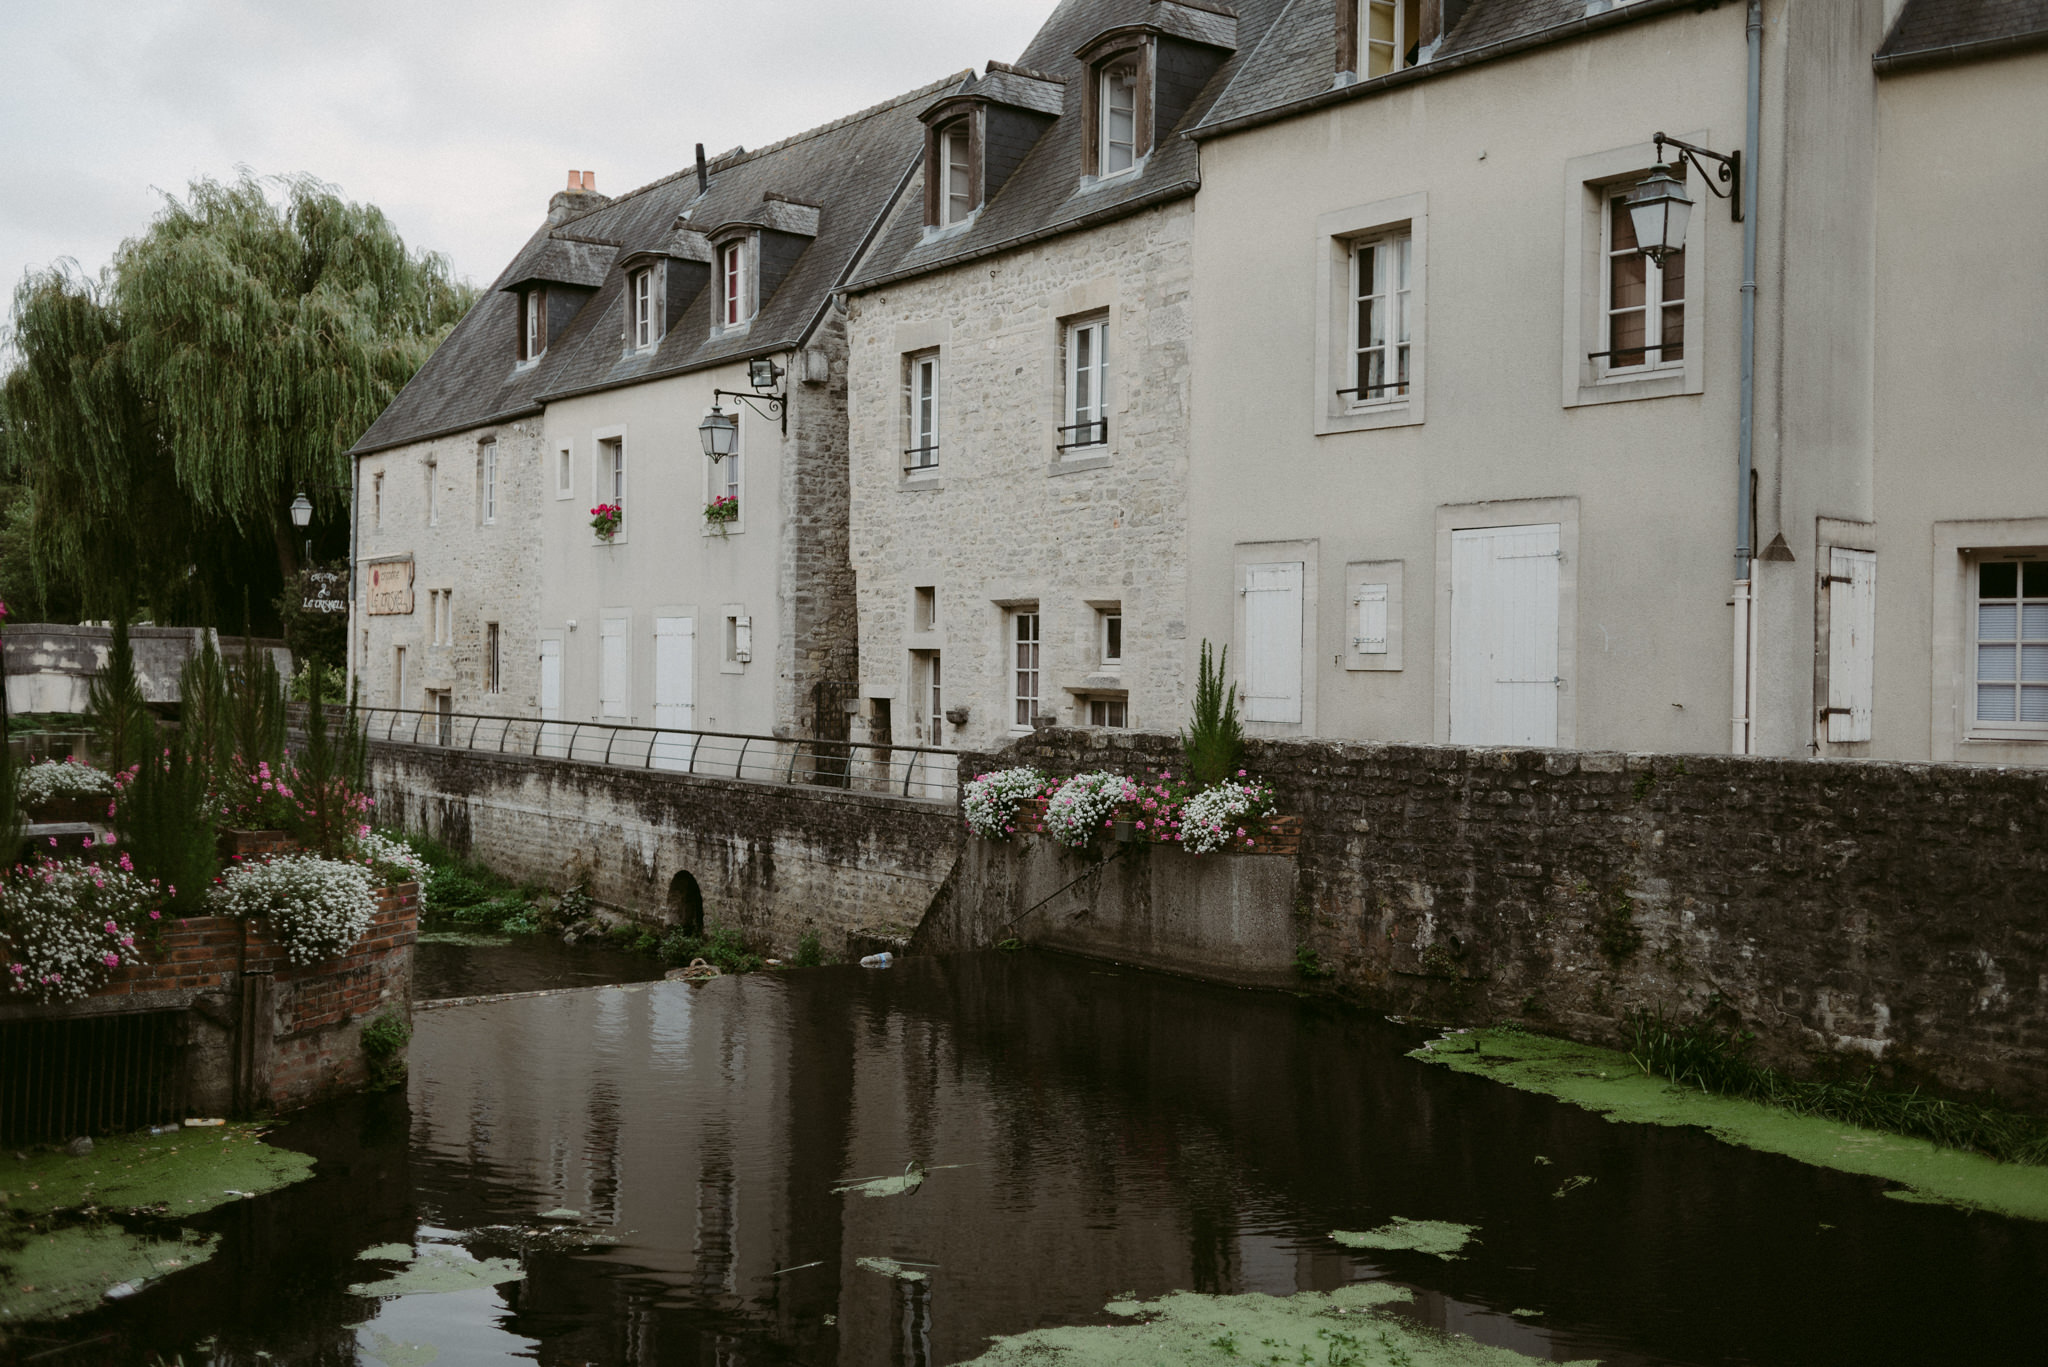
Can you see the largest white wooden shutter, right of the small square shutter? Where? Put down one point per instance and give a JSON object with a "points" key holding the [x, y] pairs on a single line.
{"points": [[1504, 610]]}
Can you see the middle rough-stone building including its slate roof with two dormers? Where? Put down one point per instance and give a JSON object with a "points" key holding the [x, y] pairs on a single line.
{"points": [[1023, 386]]}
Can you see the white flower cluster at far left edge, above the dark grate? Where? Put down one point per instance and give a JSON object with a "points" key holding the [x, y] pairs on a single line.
{"points": [[71, 925]]}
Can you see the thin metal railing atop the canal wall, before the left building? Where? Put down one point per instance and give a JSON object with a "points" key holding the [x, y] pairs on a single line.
{"points": [[851, 765]]}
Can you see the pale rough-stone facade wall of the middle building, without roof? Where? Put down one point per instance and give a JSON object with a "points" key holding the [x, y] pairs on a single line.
{"points": [[1009, 522]]}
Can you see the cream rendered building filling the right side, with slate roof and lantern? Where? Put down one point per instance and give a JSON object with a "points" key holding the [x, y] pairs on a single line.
{"points": [[1517, 483]]}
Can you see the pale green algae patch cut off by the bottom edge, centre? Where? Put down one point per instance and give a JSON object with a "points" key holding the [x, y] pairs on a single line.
{"points": [[1351, 1327]]}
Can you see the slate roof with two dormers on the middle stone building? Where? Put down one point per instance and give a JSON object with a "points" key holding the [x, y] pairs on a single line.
{"points": [[1046, 196]]}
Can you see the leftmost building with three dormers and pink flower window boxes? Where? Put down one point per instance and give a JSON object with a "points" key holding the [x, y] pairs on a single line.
{"points": [[722, 597]]}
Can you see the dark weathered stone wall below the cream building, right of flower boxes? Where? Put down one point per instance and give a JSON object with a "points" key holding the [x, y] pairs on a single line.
{"points": [[1850, 913]]}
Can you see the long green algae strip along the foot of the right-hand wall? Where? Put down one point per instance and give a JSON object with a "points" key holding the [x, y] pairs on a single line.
{"points": [[1611, 1085]]}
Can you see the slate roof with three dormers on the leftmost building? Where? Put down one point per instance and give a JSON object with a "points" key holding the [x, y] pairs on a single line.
{"points": [[851, 169]]}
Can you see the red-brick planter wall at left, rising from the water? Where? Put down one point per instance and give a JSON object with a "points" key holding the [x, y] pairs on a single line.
{"points": [[263, 1034]]}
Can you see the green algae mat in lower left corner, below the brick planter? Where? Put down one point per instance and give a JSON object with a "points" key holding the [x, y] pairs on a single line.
{"points": [[62, 1255]]}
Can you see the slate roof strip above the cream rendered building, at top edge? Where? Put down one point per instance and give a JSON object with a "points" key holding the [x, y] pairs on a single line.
{"points": [[1295, 67]]}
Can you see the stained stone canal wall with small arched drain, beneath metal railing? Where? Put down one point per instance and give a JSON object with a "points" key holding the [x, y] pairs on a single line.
{"points": [[769, 860]]}
